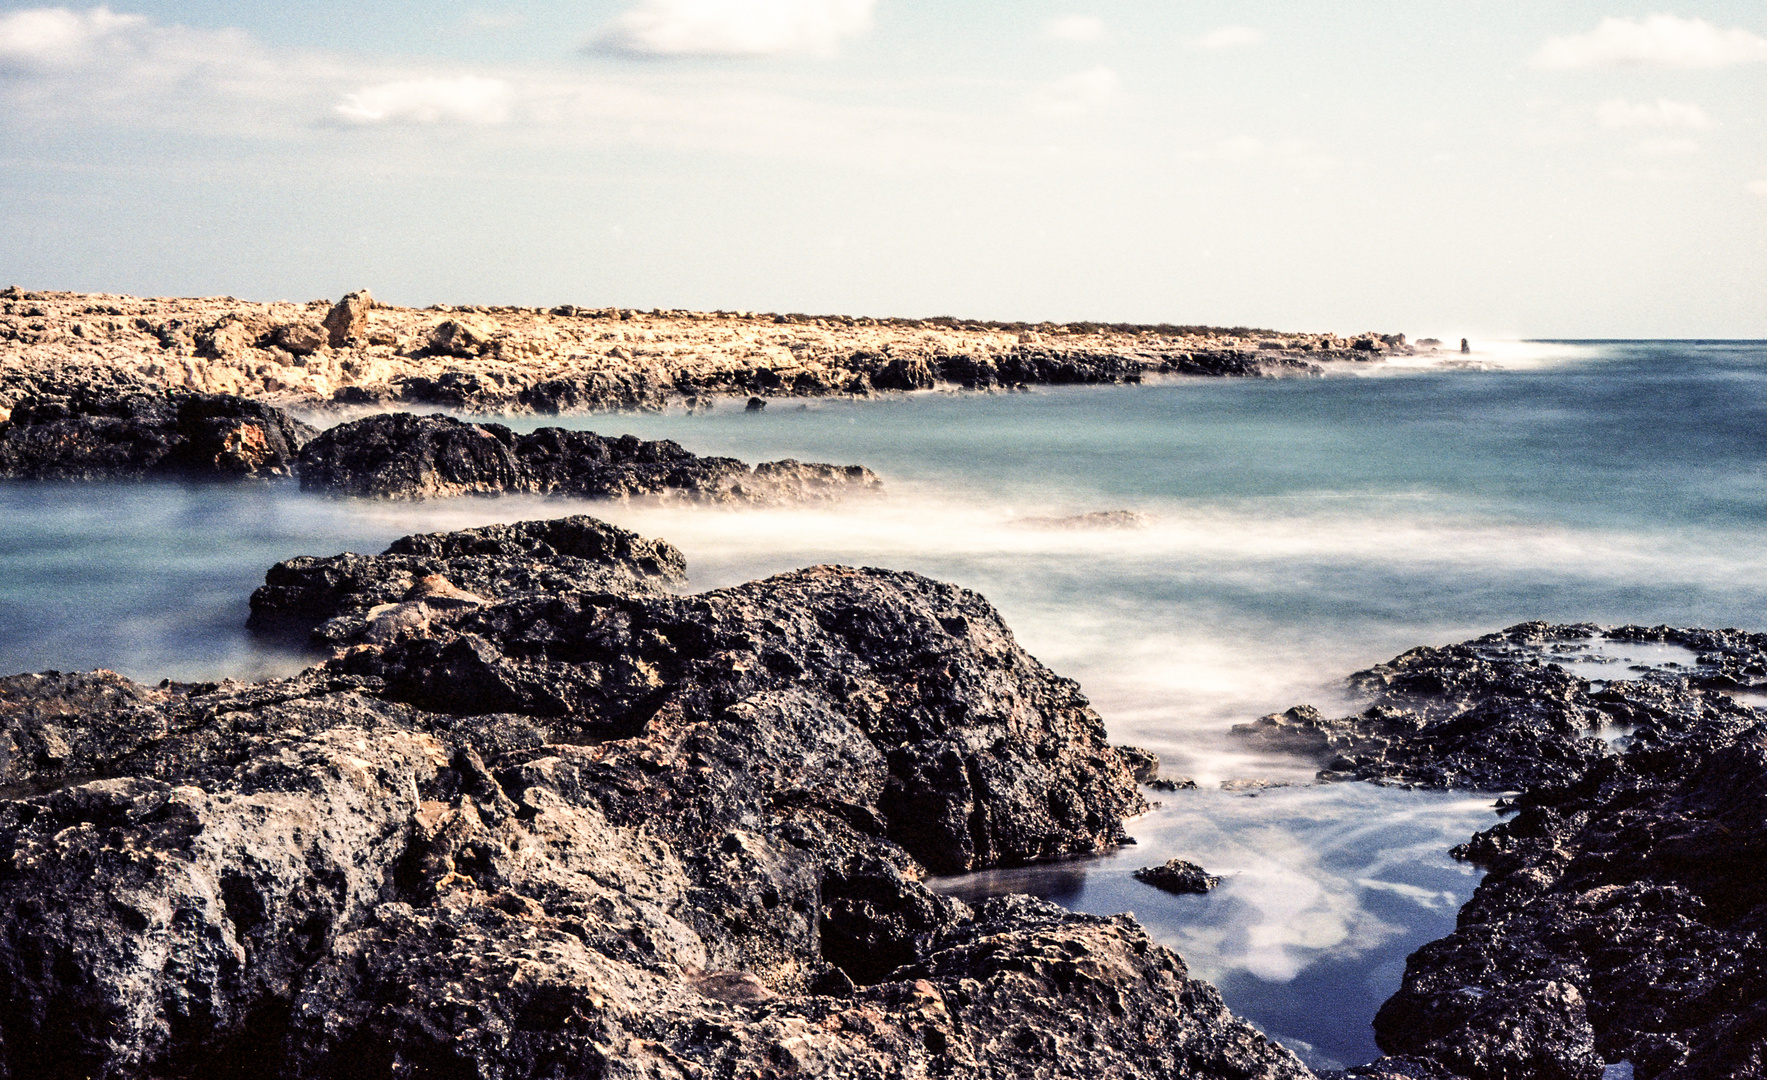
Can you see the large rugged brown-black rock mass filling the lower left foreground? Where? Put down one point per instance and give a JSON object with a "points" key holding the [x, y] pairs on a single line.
{"points": [[584, 835]]}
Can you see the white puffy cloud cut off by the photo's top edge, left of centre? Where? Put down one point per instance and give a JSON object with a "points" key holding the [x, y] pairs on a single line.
{"points": [[734, 27]]}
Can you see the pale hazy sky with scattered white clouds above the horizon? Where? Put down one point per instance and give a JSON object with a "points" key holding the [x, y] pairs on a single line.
{"points": [[1498, 169]]}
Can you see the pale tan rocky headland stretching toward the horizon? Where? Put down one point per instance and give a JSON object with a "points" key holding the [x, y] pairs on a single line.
{"points": [[572, 360]]}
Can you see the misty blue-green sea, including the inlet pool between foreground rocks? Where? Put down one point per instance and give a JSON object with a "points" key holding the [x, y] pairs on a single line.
{"points": [[1282, 535]]}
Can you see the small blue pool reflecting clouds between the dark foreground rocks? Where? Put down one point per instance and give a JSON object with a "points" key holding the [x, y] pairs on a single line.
{"points": [[1326, 892]]}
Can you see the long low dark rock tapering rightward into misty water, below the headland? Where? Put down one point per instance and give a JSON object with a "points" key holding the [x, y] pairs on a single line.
{"points": [[409, 457]]}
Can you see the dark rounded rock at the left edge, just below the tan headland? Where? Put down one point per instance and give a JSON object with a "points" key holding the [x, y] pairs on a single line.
{"points": [[114, 432]]}
